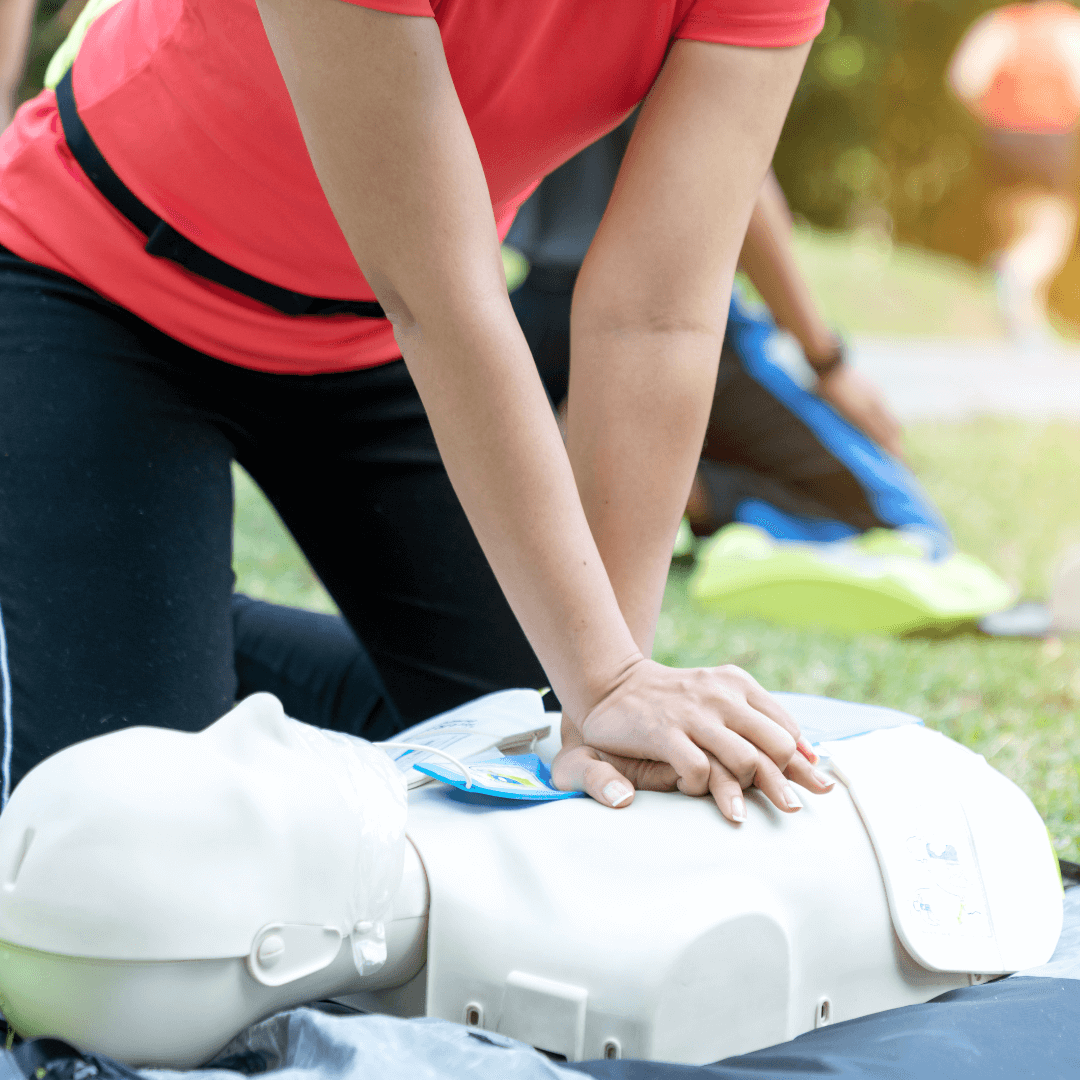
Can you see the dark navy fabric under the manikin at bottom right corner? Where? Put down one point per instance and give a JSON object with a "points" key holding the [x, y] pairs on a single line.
{"points": [[1005, 1031]]}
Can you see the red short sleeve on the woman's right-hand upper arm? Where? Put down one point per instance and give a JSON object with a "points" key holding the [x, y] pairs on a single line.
{"points": [[757, 23]]}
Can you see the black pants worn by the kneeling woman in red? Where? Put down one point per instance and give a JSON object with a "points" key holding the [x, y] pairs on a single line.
{"points": [[116, 536]]}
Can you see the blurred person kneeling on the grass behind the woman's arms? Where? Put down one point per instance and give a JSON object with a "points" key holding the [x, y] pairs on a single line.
{"points": [[775, 455]]}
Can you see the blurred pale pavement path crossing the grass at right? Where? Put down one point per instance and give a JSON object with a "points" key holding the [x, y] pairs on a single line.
{"points": [[953, 380]]}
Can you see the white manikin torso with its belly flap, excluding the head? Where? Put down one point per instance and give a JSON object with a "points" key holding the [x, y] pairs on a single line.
{"points": [[665, 933]]}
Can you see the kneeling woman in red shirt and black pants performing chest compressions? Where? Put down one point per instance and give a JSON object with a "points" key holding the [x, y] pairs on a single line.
{"points": [[305, 153]]}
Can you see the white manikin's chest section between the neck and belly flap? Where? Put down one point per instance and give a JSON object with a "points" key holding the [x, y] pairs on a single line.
{"points": [[693, 939]]}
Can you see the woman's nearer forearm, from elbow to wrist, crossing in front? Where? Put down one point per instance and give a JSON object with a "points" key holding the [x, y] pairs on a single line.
{"points": [[507, 462]]}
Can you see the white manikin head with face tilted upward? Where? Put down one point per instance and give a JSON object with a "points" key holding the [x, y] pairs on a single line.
{"points": [[160, 889]]}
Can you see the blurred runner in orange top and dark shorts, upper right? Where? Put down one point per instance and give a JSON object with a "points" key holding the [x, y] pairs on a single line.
{"points": [[1018, 71]]}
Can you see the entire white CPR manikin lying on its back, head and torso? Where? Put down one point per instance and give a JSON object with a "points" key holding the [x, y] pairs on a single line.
{"points": [[160, 892]]}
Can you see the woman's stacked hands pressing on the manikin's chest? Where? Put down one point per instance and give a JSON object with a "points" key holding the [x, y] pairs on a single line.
{"points": [[703, 731]]}
